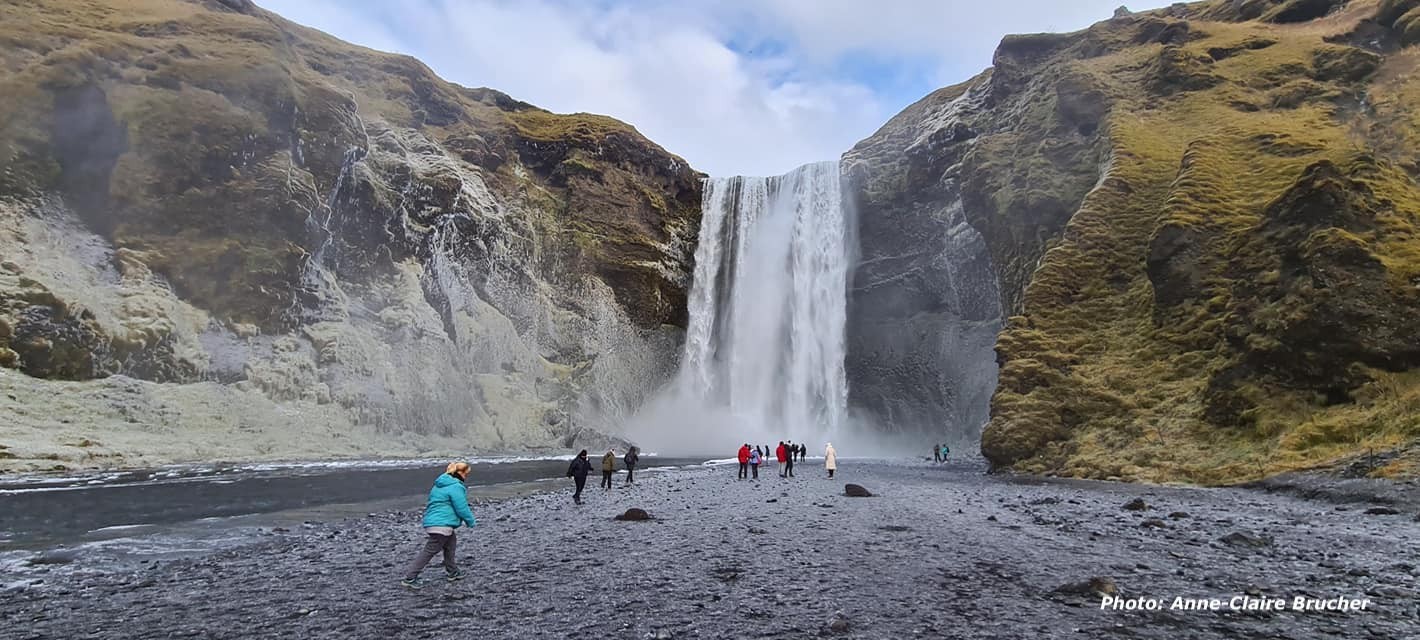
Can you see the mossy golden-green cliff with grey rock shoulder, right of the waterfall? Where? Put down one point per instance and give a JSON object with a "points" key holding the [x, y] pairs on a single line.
{"points": [[1203, 221]]}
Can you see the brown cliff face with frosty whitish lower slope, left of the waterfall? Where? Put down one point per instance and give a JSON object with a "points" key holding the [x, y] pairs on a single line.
{"points": [[207, 211]]}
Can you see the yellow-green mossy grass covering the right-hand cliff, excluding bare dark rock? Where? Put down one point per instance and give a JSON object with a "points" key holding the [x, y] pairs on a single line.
{"points": [[1209, 160]]}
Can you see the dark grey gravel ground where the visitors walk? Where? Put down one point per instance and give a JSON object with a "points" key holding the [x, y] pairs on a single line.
{"points": [[941, 551]]}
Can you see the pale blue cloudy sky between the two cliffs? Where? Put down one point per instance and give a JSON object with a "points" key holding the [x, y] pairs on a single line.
{"points": [[735, 87]]}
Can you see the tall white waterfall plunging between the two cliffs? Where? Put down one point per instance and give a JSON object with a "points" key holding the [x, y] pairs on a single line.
{"points": [[765, 348]]}
